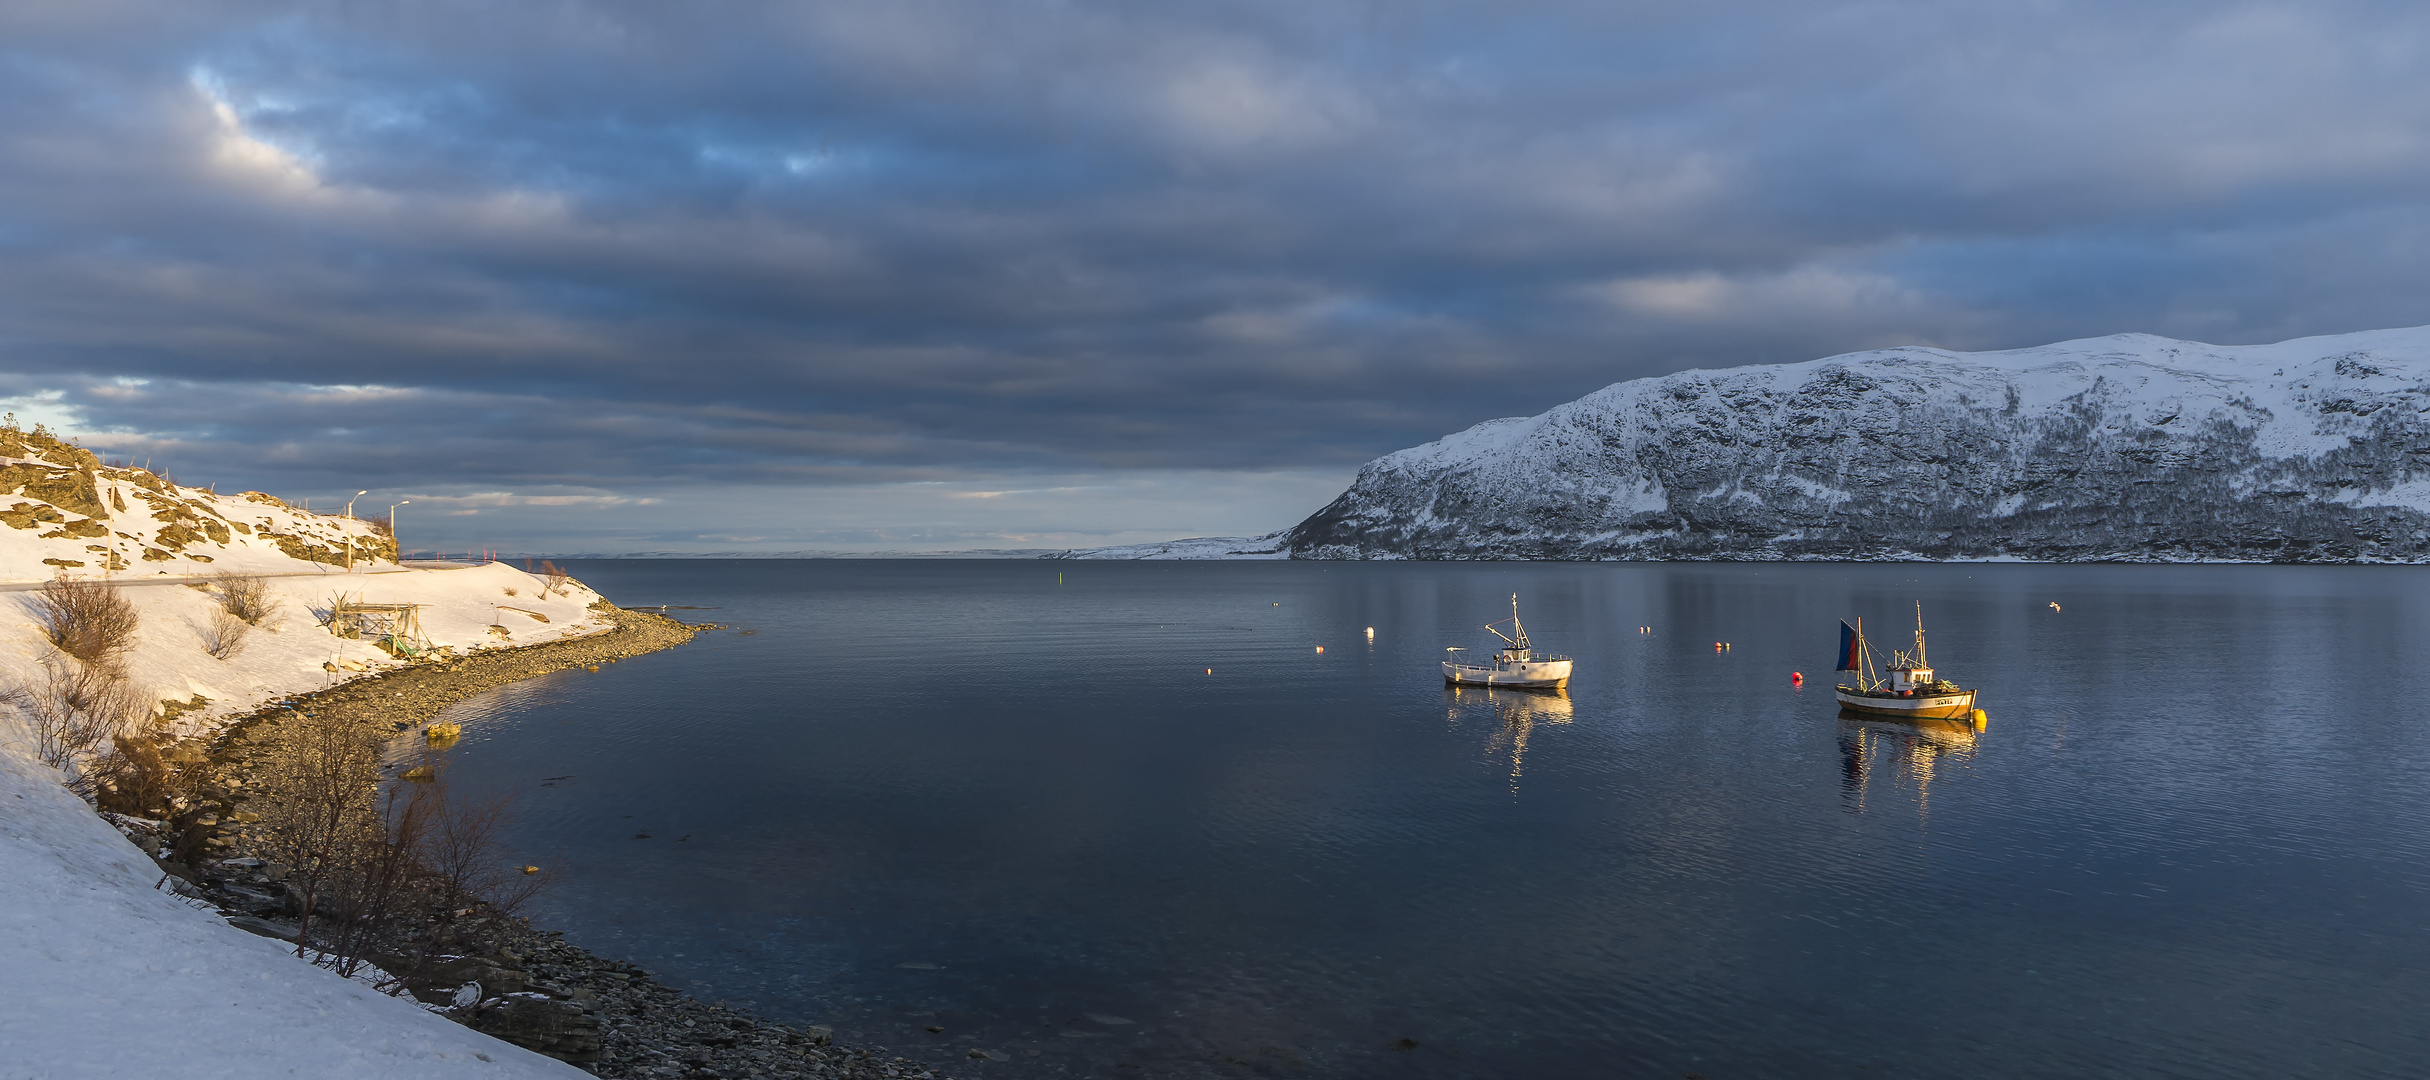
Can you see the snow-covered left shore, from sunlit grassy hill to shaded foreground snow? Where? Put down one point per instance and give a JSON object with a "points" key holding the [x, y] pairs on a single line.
{"points": [[103, 972]]}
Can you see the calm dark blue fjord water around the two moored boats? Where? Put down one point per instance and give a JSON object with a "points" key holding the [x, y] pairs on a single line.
{"points": [[1012, 801]]}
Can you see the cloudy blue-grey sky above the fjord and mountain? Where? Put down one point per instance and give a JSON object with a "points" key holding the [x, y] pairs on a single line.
{"points": [[917, 276]]}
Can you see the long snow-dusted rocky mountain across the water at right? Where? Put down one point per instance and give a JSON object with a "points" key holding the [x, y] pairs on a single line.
{"points": [[2101, 449]]}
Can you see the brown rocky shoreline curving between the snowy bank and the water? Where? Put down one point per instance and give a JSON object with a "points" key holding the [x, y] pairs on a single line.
{"points": [[512, 981]]}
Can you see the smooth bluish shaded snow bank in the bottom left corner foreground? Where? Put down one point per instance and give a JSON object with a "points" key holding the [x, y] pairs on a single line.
{"points": [[103, 977]]}
